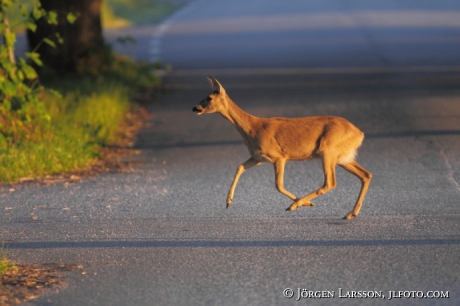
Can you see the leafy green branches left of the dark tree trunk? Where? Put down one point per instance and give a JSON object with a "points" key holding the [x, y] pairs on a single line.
{"points": [[20, 92]]}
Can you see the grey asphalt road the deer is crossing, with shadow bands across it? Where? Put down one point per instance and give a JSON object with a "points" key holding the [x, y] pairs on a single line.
{"points": [[161, 235]]}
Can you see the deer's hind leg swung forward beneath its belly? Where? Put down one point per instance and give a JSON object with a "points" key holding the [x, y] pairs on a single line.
{"points": [[330, 182]]}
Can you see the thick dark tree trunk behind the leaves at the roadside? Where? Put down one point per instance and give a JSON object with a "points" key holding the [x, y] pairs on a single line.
{"points": [[83, 49]]}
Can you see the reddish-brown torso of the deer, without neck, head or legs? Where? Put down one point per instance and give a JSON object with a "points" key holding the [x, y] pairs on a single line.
{"points": [[303, 138]]}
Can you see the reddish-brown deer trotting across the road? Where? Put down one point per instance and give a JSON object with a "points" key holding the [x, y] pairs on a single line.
{"points": [[277, 140]]}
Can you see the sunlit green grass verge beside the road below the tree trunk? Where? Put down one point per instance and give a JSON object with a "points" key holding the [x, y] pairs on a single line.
{"points": [[88, 116]]}
